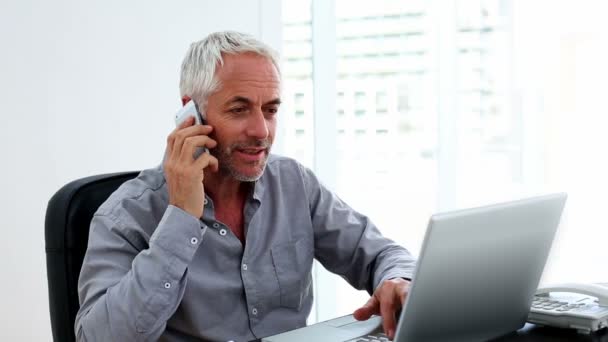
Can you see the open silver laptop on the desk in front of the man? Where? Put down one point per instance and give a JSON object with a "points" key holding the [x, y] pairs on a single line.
{"points": [[475, 278]]}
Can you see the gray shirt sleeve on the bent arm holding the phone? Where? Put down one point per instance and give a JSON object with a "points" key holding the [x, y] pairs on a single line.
{"points": [[127, 293]]}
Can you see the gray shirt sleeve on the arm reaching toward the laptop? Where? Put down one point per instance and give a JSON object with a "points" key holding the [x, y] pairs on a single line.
{"points": [[349, 244]]}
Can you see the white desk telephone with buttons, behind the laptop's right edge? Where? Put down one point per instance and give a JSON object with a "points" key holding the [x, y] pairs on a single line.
{"points": [[583, 307]]}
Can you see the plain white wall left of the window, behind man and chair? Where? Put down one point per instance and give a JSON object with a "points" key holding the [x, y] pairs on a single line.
{"points": [[87, 87]]}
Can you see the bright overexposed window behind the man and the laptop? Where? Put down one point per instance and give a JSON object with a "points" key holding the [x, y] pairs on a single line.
{"points": [[436, 105]]}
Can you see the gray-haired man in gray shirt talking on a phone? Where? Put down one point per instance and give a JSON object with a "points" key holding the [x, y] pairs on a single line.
{"points": [[221, 247]]}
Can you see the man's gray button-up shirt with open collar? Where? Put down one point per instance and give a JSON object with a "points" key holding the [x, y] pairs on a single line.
{"points": [[154, 272]]}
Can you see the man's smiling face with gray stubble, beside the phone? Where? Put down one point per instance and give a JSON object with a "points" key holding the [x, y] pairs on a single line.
{"points": [[243, 114]]}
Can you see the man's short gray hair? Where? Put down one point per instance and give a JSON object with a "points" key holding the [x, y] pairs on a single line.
{"points": [[198, 80]]}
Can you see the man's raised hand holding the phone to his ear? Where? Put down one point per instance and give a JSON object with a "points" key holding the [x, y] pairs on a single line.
{"points": [[185, 174]]}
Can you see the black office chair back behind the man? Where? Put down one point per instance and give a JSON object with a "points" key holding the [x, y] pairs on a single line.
{"points": [[66, 234]]}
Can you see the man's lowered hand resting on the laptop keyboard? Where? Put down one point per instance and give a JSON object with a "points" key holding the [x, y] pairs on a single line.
{"points": [[386, 301]]}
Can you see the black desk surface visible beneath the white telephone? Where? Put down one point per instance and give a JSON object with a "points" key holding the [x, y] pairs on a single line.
{"points": [[532, 333]]}
